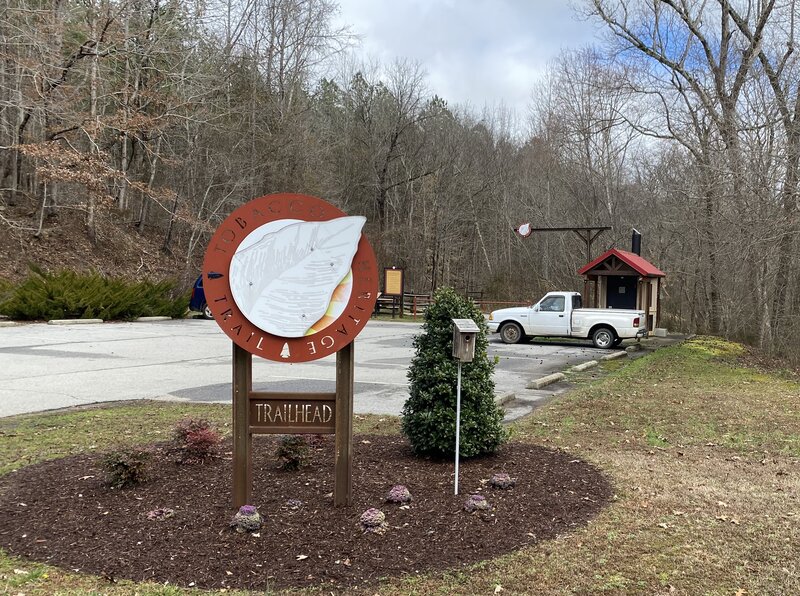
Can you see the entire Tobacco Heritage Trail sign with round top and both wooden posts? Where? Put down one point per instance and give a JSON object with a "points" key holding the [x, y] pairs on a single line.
{"points": [[291, 278]]}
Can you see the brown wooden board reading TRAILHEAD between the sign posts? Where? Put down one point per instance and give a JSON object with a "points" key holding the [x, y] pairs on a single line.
{"points": [[287, 413]]}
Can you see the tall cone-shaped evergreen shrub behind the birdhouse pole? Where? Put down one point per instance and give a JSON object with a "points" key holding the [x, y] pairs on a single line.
{"points": [[429, 414]]}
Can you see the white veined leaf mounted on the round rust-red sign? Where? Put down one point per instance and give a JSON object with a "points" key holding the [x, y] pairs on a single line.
{"points": [[283, 283]]}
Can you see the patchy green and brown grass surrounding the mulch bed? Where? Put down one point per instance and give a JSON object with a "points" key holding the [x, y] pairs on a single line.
{"points": [[704, 455]]}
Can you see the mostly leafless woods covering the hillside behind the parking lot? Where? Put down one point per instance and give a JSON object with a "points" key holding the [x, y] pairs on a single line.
{"points": [[155, 118]]}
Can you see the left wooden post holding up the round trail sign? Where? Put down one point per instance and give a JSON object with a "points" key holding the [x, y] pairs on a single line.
{"points": [[242, 439]]}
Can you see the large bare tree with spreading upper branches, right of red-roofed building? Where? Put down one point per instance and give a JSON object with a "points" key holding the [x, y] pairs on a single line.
{"points": [[692, 55]]}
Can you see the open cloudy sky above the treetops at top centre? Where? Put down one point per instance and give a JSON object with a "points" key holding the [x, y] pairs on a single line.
{"points": [[474, 51]]}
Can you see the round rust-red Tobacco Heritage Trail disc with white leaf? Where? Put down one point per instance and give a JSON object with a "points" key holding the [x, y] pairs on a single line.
{"points": [[290, 277]]}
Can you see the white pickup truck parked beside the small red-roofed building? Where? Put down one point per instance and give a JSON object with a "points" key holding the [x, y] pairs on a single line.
{"points": [[559, 314]]}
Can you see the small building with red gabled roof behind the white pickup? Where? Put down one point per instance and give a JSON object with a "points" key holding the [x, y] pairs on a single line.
{"points": [[623, 279]]}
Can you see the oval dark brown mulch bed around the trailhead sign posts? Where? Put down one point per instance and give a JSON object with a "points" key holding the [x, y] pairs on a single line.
{"points": [[61, 512]]}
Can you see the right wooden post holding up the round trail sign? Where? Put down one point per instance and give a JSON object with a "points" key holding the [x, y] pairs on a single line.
{"points": [[343, 483]]}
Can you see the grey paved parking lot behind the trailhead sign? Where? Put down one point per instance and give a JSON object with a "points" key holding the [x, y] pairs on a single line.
{"points": [[45, 367]]}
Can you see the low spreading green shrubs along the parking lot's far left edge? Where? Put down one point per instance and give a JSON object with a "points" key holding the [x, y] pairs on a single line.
{"points": [[77, 295]]}
